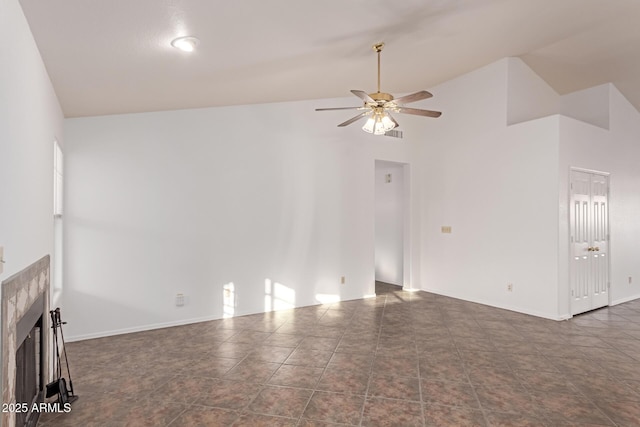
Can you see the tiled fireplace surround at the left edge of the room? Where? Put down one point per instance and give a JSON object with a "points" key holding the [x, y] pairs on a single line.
{"points": [[19, 292]]}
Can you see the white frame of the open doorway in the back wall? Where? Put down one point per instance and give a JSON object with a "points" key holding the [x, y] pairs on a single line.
{"points": [[406, 222]]}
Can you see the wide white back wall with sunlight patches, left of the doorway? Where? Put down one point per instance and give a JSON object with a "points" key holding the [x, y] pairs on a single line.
{"points": [[188, 201]]}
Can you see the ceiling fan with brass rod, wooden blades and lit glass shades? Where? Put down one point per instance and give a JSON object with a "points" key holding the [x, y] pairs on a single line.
{"points": [[378, 106]]}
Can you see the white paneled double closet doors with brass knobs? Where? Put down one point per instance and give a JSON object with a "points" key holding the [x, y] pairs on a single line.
{"points": [[589, 225]]}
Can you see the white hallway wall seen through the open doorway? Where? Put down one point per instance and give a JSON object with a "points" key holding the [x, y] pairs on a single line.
{"points": [[389, 222]]}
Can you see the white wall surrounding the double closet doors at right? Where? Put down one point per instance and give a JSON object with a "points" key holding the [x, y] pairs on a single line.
{"points": [[615, 151]]}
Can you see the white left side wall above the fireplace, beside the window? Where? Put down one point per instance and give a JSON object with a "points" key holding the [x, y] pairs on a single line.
{"points": [[30, 119]]}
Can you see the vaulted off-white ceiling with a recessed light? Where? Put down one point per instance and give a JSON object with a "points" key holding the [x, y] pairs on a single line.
{"points": [[114, 56]]}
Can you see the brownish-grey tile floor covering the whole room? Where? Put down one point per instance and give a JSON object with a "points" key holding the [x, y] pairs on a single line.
{"points": [[400, 359]]}
